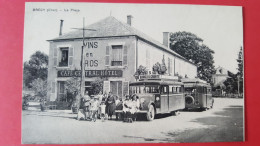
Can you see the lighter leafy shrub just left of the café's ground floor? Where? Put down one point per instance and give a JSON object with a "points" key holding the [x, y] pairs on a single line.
{"points": [[40, 87]]}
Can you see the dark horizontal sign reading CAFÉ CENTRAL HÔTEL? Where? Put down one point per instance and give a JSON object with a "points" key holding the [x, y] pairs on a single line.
{"points": [[90, 73]]}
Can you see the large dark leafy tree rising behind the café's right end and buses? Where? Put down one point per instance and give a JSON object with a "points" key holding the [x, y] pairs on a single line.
{"points": [[190, 47]]}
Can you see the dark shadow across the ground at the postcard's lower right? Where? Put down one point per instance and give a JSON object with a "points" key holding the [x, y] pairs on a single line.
{"points": [[225, 125]]}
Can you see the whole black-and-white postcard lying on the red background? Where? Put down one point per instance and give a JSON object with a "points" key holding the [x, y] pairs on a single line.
{"points": [[96, 73]]}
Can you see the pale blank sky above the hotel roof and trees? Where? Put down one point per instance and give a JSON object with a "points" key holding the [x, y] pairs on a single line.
{"points": [[220, 27]]}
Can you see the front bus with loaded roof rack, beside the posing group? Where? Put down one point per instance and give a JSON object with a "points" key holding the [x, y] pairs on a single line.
{"points": [[158, 96]]}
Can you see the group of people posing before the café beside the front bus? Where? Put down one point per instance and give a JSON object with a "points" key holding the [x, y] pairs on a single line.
{"points": [[104, 106]]}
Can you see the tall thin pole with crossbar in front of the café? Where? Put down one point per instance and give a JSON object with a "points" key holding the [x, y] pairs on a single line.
{"points": [[82, 58]]}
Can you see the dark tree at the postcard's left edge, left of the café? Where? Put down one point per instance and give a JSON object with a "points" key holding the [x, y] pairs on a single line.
{"points": [[36, 67]]}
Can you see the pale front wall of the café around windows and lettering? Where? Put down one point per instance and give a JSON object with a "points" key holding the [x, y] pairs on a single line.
{"points": [[99, 57]]}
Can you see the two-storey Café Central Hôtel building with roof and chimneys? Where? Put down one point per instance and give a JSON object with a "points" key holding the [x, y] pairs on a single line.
{"points": [[112, 52]]}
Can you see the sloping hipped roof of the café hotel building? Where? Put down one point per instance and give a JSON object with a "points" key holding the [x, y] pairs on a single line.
{"points": [[111, 27]]}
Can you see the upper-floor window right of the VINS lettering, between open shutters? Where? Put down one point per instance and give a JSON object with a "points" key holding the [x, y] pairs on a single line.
{"points": [[117, 55]]}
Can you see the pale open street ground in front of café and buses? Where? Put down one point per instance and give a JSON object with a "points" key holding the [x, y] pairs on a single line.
{"points": [[222, 123]]}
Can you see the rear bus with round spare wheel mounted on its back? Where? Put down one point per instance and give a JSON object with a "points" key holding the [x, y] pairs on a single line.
{"points": [[197, 94]]}
